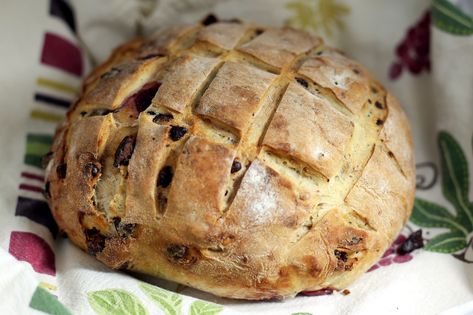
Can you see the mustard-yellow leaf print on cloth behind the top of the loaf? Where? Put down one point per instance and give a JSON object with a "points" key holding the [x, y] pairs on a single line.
{"points": [[320, 15]]}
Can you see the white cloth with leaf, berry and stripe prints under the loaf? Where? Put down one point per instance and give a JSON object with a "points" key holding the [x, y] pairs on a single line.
{"points": [[421, 50]]}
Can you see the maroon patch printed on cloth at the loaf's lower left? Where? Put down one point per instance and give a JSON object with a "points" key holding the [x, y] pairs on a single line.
{"points": [[29, 247]]}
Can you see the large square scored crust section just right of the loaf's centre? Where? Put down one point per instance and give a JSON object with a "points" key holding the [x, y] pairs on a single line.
{"points": [[302, 127]]}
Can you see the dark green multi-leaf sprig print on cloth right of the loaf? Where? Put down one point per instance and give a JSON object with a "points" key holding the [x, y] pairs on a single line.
{"points": [[455, 188]]}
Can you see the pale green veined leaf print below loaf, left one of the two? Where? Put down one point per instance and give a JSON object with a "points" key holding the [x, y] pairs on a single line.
{"points": [[115, 302]]}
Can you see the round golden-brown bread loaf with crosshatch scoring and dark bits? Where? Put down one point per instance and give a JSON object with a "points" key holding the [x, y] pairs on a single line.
{"points": [[249, 162]]}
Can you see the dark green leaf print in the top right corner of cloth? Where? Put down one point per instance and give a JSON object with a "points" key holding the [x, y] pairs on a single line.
{"points": [[449, 18]]}
